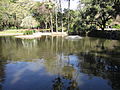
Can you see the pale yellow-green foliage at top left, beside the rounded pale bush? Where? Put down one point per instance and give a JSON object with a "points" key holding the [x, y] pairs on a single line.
{"points": [[12, 12]]}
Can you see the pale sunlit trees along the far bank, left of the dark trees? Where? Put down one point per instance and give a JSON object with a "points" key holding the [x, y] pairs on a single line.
{"points": [[32, 14]]}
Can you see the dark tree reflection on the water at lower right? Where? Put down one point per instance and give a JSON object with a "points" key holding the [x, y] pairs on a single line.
{"points": [[101, 66]]}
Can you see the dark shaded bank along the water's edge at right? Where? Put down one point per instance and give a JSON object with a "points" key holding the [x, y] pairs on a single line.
{"points": [[106, 34]]}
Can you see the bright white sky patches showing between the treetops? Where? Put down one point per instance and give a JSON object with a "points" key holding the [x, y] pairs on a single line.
{"points": [[73, 3]]}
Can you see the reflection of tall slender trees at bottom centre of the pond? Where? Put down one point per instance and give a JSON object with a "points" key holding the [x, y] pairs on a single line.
{"points": [[67, 75]]}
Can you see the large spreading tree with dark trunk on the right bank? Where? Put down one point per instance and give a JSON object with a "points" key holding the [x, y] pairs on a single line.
{"points": [[99, 11]]}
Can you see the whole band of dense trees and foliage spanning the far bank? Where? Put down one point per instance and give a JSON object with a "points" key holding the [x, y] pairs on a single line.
{"points": [[90, 15]]}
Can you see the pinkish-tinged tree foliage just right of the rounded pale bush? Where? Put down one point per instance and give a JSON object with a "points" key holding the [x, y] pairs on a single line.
{"points": [[41, 12]]}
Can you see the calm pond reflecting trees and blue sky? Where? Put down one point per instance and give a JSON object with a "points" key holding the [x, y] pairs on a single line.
{"points": [[56, 63]]}
